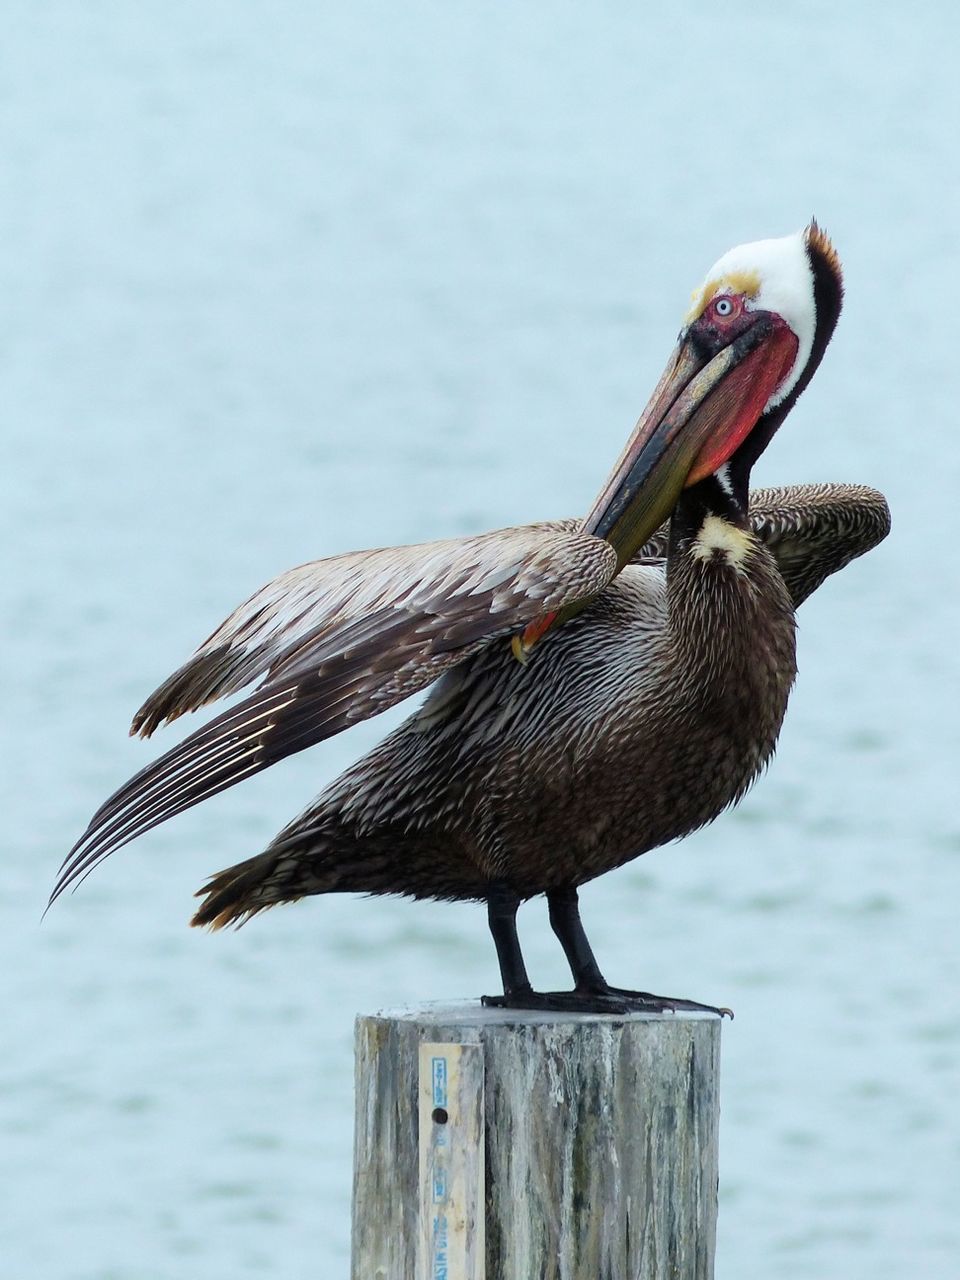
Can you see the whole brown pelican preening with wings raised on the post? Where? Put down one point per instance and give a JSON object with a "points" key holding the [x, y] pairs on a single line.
{"points": [[656, 660]]}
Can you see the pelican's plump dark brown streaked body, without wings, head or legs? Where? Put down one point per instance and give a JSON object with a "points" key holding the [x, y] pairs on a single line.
{"points": [[491, 779]]}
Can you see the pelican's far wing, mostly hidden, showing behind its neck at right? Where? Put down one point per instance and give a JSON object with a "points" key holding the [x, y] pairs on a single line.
{"points": [[812, 531]]}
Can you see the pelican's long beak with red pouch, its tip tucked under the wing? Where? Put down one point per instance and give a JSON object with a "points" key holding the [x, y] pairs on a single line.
{"points": [[698, 415]]}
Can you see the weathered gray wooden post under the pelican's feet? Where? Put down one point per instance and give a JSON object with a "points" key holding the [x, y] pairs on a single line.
{"points": [[551, 1148]]}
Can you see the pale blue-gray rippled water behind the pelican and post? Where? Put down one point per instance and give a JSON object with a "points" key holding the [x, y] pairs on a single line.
{"points": [[286, 280]]}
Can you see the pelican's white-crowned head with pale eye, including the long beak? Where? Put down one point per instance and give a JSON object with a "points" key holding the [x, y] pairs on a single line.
{"points": [[752, 341]]}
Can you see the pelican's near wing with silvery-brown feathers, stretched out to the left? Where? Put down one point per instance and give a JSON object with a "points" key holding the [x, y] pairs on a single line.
{"points": [[339, 641]]}
